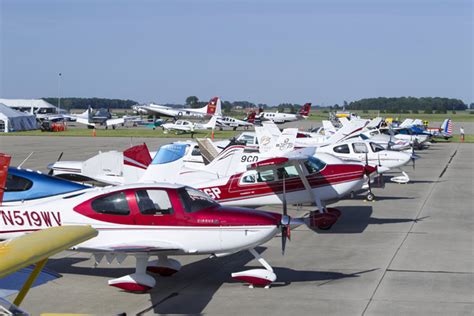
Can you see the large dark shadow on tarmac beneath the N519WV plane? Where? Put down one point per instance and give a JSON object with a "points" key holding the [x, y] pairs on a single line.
{"points": [[191, 289]]}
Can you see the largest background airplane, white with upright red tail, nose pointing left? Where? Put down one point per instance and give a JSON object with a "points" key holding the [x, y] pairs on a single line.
{"points": [[212, 108]]}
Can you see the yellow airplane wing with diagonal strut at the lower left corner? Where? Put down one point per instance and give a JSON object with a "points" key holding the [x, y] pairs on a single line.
{"points": [[36, 248]]}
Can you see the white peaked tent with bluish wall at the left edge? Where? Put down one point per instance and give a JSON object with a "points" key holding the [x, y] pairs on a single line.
{"points": [[13, 121]]}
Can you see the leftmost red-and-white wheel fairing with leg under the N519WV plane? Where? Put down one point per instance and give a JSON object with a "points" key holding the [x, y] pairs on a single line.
{"points": [[138, 281]]}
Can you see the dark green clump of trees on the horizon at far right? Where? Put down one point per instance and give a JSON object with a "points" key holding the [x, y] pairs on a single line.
{"points": [[403, 104]]}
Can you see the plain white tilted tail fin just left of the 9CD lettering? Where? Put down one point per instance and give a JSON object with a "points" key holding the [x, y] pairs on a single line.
{"points": [[227, 162]]}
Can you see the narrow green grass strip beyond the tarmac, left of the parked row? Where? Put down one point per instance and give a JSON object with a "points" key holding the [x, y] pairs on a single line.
{"points": [[124, 132]]}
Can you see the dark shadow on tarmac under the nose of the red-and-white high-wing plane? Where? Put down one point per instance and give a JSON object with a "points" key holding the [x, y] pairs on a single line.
{"points": [[355, 219]]}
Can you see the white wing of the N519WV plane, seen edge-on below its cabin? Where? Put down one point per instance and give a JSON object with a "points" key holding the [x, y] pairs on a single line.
{"points": [[145, 246]]}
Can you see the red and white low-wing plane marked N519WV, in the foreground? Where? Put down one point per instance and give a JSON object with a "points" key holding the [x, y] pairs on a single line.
{"points": [[153, 220]]}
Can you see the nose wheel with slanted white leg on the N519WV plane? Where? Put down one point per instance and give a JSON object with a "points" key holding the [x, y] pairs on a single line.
{"points": [[257, 277]]}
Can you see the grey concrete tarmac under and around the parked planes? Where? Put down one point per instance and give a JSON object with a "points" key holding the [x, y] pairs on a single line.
{"points": [[410, 252]]}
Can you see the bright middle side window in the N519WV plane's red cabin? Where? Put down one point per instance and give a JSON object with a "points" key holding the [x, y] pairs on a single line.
{"points": [[154, 202]]}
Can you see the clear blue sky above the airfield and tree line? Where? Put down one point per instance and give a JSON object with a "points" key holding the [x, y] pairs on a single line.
{"points": [[263, 51]]}
